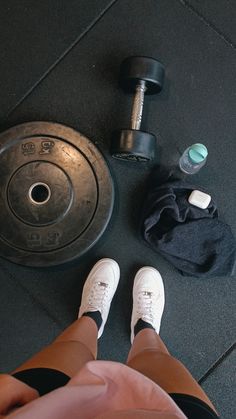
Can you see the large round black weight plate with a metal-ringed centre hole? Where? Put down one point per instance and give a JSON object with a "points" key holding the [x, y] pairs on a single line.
{"points": [[56, 194]]}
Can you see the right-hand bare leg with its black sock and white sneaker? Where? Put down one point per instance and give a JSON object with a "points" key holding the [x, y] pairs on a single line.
{"points": [[148, 353]]}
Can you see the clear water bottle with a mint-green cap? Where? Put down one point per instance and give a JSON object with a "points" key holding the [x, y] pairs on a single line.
{"points": [[193, 158]]}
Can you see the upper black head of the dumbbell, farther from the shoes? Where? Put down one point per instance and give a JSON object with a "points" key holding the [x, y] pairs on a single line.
{"points": [[134, 69]]}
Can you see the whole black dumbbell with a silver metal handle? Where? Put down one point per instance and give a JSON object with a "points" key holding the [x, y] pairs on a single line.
{"points": [[139, 75]]}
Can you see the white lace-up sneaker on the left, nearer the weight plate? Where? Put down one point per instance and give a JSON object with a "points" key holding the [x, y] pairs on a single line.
{"points": [[99, 289]]}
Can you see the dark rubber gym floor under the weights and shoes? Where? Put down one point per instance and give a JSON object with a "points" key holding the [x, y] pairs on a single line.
{"points": [[60, 62]]}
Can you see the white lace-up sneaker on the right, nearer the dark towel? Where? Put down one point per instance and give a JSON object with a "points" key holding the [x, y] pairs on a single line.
{"points": [[148, 298]]}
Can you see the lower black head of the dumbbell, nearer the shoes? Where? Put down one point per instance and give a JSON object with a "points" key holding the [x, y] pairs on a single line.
{"points": [[133, 145]]}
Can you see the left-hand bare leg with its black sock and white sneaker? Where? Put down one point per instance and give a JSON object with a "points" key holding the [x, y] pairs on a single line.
{"points": [[78, 343]]}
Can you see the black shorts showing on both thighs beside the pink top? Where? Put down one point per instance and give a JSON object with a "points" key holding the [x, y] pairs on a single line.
{"points": [[45, 380]]}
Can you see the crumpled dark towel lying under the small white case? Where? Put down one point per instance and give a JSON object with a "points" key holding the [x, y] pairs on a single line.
{"points": [[194, 240]]}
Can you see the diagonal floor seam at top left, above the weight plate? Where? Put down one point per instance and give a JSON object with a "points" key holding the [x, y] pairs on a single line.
{"points": [[61, 58]]}
